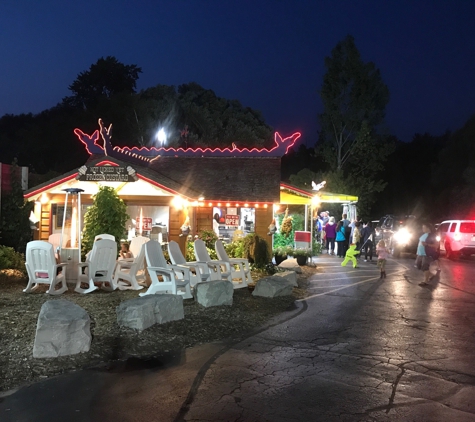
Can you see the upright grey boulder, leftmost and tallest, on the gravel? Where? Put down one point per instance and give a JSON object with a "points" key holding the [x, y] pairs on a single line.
{"points": [[63, 329]]}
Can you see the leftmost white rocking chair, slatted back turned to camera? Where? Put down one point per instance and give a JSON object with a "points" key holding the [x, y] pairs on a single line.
{"points": [[42, 268]]}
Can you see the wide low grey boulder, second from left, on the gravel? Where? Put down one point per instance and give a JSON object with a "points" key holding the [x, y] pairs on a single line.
{"points": [[145, 311]]}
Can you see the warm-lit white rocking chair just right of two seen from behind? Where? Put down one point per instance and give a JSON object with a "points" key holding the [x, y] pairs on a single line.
{"points": [[132, 271]]}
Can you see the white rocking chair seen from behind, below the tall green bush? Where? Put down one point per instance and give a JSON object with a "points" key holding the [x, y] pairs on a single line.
{"points": [[99, 267]]}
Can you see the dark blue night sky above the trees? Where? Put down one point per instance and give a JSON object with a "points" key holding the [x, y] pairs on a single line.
{"points": [[267, 54]]}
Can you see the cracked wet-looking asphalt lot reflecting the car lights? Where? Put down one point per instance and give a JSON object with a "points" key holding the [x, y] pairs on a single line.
{"points": [[359, 349]]}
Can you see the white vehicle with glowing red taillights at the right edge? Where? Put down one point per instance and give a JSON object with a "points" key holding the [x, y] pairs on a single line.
{"points": [[457, 237]]}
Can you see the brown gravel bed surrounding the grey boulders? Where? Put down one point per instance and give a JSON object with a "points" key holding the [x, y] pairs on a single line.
{"points": [[19, 314]]}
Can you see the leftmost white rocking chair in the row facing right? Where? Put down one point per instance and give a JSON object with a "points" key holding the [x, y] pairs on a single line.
{"points": [[176, 280]]}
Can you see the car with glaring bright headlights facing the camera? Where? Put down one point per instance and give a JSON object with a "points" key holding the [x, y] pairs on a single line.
{"points": [[400, 233]]}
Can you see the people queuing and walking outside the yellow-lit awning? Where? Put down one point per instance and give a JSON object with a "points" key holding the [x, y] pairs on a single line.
{"points": [[353, 238]]}
